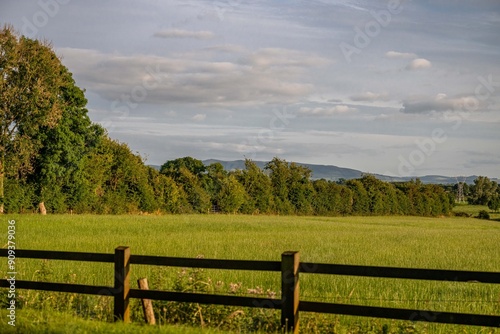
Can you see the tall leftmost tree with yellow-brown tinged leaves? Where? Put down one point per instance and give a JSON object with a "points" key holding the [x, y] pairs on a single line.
{"points": [[31, 77]]}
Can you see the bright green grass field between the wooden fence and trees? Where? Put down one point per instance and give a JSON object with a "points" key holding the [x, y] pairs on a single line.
{"points": [[415, 242]]}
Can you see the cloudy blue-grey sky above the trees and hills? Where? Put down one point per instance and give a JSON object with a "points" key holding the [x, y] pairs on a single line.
{"points": [[402, 88]]}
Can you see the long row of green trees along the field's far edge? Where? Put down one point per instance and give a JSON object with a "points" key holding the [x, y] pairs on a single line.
{"points": [[53, 157]]}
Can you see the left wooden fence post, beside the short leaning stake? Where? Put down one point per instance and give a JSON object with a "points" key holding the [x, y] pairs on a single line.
{"points": [[122, 284]]}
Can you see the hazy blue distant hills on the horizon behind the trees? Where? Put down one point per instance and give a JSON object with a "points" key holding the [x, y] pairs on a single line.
{"points": [[334, 173]]}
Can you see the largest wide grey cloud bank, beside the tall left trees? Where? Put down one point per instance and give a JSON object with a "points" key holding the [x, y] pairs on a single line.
{"points": [[262, 77]]}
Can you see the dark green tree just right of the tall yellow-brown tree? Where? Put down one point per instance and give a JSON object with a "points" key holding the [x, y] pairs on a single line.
{"points": [[58, 166]]}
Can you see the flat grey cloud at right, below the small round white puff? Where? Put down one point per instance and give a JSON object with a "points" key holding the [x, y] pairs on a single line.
{"points": [[440, 103]]}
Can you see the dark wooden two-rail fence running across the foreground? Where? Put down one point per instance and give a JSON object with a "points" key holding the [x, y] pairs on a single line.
{"points": [[289, 304]]}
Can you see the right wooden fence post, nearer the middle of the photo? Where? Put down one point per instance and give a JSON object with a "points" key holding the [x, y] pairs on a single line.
{"points": [[290, 291]]}
